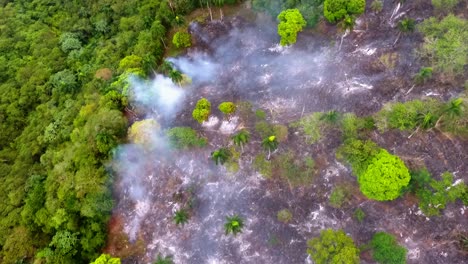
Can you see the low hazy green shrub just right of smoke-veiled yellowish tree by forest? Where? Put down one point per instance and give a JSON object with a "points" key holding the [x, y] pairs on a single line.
{"points": [[184, 137]]}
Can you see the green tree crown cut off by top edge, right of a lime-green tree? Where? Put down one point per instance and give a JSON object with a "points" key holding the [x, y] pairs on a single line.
{"points": [[336, 10]]}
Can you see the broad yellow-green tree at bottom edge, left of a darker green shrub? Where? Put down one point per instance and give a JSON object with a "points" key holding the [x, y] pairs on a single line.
{"points": [[333, 247]]}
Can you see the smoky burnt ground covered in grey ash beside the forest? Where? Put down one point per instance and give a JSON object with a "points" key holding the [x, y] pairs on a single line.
{"points": [[239, 60]]}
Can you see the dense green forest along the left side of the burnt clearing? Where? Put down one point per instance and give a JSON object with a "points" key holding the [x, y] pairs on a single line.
{"points": [[62, 102]]}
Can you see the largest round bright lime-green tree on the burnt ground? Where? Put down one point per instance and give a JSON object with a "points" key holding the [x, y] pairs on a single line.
{"points": [[384, 178]]}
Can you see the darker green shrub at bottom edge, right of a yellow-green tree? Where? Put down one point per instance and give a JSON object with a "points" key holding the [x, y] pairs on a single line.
{"points": [[386, 250]]}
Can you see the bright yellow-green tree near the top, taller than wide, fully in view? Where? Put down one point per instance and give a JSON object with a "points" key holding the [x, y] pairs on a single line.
{"points": [[291, 22]]}
